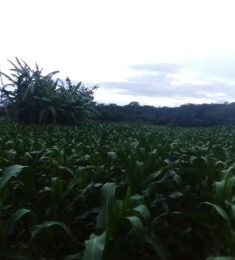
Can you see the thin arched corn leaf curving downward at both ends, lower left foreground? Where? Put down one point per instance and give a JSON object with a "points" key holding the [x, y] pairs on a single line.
{"points": [[38, 229]]}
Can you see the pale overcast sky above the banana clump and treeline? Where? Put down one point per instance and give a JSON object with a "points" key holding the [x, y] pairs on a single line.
{"points": [[155, 52]]}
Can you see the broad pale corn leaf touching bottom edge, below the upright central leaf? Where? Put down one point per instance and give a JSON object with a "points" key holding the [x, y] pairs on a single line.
{"points": [[94, 247]]}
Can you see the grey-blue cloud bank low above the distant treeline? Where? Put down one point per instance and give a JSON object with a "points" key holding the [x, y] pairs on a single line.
{"points": [[159, 81]]}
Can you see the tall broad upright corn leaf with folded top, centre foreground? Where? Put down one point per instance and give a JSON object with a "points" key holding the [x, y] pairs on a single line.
{"points": [[107, 198]]}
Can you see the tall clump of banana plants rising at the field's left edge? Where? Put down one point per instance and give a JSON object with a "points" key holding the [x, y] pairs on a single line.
{"points": [[30, 97]]}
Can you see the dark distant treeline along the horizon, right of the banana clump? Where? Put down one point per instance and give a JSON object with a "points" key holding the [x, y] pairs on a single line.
{"points": [[185, 115]]}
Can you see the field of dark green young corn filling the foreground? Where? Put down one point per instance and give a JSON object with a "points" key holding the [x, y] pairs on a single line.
{"points": [[116, 192]]}
